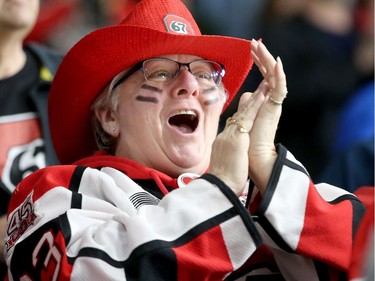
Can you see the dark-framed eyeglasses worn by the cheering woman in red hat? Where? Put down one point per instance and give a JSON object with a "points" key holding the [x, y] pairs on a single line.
{"points": [[163, 70]]}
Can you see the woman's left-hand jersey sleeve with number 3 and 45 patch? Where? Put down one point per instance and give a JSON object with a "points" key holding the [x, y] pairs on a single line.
{"points": [[78, 223]]}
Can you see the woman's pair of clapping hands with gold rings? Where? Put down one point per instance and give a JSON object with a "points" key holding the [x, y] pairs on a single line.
{"points": [[246, 146]]}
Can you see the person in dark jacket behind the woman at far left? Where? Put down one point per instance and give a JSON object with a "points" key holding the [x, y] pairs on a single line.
{"points": [[26, 72]]}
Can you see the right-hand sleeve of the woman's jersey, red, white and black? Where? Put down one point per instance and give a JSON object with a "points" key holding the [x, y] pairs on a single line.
{"points": [[309, 228]]}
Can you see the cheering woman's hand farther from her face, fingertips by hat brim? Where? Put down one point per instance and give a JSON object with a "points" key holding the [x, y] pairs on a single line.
{"points": [[262, 152]]}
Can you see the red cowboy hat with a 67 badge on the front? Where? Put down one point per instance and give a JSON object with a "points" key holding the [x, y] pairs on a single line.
{"points": [[153, 28]]}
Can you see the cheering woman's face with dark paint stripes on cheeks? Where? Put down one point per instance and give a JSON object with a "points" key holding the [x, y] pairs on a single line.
{"points": [[168, 127]]}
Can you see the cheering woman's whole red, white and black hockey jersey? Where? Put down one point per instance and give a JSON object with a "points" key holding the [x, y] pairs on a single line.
{"points": [[108, 218]]}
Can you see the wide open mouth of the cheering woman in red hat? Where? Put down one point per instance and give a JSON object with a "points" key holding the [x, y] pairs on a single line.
{"points": [[186, 121]]}
